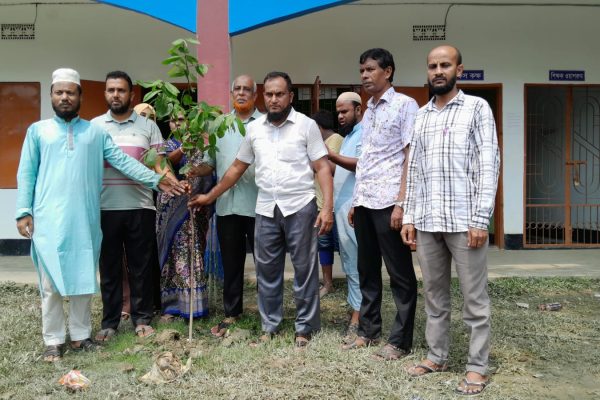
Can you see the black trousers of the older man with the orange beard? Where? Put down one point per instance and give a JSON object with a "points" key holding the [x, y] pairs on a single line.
{"points": [[233, 232]]}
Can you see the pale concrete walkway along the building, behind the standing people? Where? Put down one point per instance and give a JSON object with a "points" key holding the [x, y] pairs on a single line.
{"points": [[502, 263]]}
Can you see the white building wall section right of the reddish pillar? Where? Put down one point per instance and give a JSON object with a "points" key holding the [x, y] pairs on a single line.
{"points": [[514, 45]]}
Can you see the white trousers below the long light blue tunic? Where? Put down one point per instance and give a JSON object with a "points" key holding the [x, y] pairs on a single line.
{"points": [[53, 316]]}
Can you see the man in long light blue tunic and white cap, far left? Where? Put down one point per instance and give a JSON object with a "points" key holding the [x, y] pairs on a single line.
{"points": [[59, 184]]}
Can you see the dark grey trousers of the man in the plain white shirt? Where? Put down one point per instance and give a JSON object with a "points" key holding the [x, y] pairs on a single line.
{"points": [[271, 236]]}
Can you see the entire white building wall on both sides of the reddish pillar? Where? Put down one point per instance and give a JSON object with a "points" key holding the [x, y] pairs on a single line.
{"points": [[514, 45]]}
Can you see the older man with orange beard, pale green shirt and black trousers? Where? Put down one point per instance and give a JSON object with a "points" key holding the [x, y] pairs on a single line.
{"points": [[236, 207]]}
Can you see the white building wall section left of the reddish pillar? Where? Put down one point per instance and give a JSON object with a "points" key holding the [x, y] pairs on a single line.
{"points": [[93, 39]]}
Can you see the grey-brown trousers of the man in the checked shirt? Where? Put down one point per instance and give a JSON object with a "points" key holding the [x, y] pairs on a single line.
{"points": [[435, 252]]}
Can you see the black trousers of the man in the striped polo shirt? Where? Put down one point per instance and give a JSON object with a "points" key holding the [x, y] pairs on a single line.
{"points": [[132, 231]]}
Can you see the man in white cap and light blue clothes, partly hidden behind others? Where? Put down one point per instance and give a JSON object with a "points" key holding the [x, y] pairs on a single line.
{"points": [[348, 107]]}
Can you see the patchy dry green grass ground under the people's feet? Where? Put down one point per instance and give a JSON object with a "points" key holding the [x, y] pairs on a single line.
{"points": [[535, 355]]}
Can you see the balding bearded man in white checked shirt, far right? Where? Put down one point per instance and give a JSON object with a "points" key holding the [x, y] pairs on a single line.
{"points": [[452, 178]]}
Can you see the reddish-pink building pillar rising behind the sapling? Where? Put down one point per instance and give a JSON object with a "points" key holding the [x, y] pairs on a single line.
{"points": [[213, 33]]}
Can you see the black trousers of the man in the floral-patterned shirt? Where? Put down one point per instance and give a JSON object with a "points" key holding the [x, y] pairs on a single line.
{"points": [[375, 239]]}
